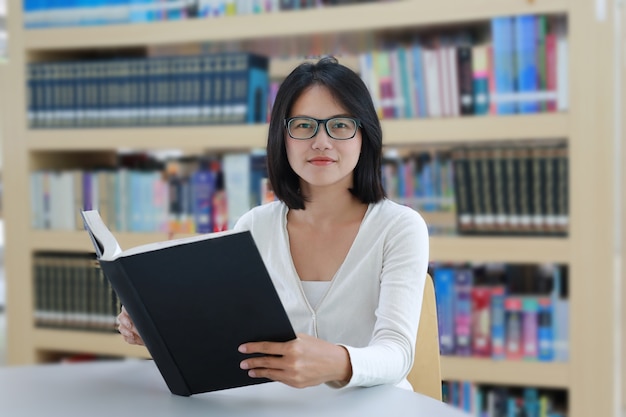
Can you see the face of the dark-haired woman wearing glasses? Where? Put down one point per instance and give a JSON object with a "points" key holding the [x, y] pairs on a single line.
{"points": [[322, 161]]}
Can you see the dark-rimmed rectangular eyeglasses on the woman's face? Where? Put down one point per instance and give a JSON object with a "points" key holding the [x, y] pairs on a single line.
{"points": [[339, 128]]}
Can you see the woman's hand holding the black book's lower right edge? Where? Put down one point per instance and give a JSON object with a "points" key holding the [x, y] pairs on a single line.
{"points": [[302, 362]]}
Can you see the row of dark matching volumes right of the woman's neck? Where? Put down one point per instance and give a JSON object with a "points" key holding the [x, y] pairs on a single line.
{"points": [[512, 189]]}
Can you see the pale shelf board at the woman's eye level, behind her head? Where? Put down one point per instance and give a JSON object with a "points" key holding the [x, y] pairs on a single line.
{"points": [[397, 132]]}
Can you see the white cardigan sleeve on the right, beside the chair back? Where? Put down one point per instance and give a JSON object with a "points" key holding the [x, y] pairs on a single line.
{"points": [[389, 356]]}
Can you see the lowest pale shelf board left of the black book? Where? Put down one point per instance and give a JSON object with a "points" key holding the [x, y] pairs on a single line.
{"points": [[86, 342]]}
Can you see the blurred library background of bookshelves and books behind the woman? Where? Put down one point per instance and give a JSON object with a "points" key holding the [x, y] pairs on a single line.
{"points": [[503, 124]]}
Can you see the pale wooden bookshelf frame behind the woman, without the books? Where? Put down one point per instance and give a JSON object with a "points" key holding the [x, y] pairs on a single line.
{"points": [[589, 251]]}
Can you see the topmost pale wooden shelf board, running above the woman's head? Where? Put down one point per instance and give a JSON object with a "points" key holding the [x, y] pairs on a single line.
{"points": [[288, 24]]}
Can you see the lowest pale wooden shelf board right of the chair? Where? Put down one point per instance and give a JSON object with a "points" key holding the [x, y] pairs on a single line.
{"points": [[487, 371]]}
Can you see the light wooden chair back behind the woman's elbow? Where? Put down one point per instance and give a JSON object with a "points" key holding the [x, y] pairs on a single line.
{"points": [[425, 375]]}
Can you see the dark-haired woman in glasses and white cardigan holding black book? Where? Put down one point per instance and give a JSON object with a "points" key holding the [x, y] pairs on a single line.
{"points": [[348, 264]]}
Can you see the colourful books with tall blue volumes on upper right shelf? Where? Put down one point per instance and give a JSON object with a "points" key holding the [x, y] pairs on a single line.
{"points": [[522, 68]]}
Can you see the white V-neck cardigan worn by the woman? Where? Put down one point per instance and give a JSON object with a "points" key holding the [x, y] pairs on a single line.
{"points": [[373, 303]]}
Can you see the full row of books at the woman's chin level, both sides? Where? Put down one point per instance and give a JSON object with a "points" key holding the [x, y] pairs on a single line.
{"points": [[496, 189]]}
